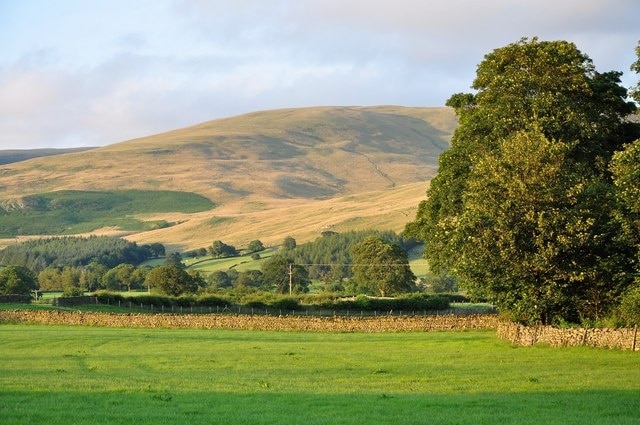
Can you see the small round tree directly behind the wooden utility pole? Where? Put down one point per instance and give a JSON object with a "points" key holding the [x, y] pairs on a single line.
{"points": [[280, 274]]}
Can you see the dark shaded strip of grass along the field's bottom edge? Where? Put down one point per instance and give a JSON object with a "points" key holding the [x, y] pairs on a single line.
{"points": [[175, 407]]}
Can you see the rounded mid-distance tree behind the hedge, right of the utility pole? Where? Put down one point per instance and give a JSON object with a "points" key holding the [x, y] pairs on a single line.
{"points": [[382, 267]]}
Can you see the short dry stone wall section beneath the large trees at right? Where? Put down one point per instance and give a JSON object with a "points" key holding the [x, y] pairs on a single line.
{"points": [[625, 339]]}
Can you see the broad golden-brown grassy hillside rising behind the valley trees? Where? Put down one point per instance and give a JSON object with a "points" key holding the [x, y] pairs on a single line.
{"points": [[270, 173]]}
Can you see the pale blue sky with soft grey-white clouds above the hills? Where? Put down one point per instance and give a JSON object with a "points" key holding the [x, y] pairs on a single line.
{"points": [[95, 72]]}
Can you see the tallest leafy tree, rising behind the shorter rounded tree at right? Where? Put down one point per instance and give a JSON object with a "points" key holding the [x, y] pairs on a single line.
{"points": [[551, 86]]}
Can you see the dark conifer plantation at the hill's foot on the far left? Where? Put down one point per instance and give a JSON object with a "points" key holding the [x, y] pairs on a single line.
{"points": [[74, 251]]}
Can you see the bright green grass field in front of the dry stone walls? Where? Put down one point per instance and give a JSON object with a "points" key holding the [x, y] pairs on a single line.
{"points": [[82, 375]]}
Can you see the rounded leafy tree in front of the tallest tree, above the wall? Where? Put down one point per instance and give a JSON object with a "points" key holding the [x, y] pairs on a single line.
{"points": [[538, 234]]}
